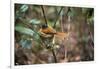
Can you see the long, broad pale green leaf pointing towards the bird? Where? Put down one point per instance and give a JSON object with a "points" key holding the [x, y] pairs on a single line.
{"points": [[24, 30]]}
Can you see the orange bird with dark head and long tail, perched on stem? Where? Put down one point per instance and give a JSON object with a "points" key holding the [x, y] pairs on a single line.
{"points": [[47, 32]]}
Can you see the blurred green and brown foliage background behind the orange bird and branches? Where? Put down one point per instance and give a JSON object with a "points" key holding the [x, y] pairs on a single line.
{"points": [[30, 47]]}
